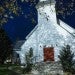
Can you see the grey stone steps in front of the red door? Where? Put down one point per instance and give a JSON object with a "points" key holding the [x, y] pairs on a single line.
{"points": [[48, 68]]}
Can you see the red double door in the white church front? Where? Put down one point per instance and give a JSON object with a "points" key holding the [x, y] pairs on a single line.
{"points": [[49, 54]]}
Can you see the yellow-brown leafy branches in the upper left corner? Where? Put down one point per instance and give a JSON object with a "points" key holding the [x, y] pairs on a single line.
{"points": [[8, 8]]}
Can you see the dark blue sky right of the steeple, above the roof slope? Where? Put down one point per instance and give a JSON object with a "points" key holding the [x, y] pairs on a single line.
{"points": [[68, 8]]}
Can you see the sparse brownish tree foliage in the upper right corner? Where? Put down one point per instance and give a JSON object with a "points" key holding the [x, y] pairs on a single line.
{"points": [[65, 8]]}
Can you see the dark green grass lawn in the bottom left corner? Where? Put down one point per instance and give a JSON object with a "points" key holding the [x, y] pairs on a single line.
{"points": [[5, 71]]}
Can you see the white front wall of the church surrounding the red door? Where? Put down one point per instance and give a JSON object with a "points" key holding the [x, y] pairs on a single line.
{"points": [[48, 34]]}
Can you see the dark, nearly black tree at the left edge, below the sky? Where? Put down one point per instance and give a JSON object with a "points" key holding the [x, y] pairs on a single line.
{"points": [[5, 46]]}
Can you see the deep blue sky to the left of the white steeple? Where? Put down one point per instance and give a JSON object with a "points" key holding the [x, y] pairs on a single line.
{"points": [[20, 26]]}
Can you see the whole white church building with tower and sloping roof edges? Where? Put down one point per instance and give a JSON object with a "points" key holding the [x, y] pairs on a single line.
{"points": [[47, 35]]}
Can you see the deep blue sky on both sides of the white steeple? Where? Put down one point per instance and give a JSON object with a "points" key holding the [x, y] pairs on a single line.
{"points": [[20, 26]]}
